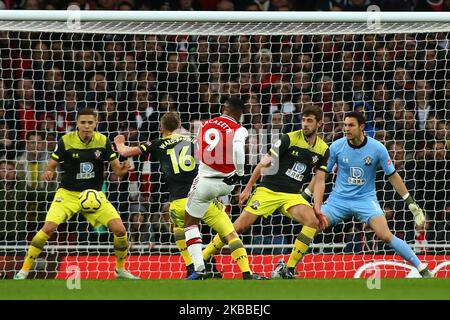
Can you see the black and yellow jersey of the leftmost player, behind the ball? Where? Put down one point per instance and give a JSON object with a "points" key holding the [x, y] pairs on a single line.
{"points": [[82, 164]]}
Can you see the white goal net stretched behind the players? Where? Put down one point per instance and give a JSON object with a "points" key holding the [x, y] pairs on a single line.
{"points": [[133, 70]]}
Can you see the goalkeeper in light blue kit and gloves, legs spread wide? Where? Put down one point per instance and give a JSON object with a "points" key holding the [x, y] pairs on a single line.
{"points": [[357, 158]]}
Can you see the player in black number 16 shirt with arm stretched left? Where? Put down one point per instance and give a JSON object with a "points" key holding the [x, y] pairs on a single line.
{"points": [[175, 152]]}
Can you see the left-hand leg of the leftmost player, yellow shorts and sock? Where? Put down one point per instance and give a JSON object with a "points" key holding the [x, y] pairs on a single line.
{"points": [[64, 205]]}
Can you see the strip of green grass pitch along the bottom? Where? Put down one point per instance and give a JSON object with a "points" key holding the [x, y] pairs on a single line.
{"points": [[225, 289]]}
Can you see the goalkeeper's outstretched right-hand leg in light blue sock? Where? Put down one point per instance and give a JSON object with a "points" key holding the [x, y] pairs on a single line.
{"points": [[380, 227]]}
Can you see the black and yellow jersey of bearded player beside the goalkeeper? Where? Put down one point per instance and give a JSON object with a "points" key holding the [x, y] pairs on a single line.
{"points": [[295, 160]]}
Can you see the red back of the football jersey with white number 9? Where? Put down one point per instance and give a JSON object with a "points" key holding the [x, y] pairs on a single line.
{"points": [[215, 143]]}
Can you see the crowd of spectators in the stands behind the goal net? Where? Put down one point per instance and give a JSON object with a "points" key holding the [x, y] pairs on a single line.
{"points": [[400, 81]]}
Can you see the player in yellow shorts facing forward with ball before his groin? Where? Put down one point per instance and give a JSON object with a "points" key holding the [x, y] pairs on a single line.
{"points": [[82, 154]]}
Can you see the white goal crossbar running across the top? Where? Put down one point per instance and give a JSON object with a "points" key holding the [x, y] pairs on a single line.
{"points": [[222, 23]]}
